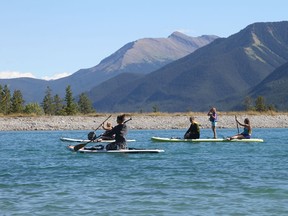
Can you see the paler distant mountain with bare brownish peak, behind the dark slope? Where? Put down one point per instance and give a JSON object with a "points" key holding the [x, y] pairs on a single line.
{"points": [[140, 57]]}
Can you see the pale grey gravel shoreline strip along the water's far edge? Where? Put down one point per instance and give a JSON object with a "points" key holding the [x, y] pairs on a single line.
{"points": [[139, 121]]}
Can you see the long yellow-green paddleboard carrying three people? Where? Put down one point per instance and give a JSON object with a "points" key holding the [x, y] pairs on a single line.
{"points": [[162, 139]]}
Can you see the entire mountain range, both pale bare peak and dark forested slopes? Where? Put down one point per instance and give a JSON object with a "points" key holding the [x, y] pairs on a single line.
{"points": [[214, 71]]}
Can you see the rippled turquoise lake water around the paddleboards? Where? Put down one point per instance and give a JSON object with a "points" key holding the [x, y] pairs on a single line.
{"points": [[39, 176]]}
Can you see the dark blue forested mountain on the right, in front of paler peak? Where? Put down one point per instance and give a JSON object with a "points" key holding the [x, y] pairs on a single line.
{"points": [[219, 74]]}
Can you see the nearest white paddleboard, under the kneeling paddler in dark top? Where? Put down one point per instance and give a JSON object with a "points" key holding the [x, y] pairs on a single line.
{"points": [[129, 150]]}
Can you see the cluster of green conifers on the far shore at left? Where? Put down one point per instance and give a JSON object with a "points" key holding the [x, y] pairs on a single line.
{"points": [[51, 104]]}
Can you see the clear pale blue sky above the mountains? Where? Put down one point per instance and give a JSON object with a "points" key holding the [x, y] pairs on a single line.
{"points": [[52, 38]]}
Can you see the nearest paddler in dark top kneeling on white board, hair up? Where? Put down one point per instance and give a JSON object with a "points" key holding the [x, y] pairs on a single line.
{"points": [[120, 131]]}
